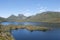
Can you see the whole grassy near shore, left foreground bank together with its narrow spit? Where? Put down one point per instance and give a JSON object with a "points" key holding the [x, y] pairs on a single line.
{"points": [[5, 30]]}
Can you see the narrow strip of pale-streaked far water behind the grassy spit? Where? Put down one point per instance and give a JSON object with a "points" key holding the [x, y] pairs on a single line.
{"points": [[33, 23]]}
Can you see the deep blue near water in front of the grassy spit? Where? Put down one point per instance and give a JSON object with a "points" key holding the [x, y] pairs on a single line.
{"points": [[23, 34]]}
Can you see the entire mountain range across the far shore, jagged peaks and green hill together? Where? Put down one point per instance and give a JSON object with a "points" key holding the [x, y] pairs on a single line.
{"points": [[48, 16]]}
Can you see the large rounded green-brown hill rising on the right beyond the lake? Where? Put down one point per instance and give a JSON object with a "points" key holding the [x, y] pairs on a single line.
{"points": [[46, 17]]}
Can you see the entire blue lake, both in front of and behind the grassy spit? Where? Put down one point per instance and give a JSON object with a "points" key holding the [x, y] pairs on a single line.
{"points": [[23, 34]]}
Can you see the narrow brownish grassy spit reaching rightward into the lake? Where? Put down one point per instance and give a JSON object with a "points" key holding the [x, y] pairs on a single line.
{"points": [[29, 27]]}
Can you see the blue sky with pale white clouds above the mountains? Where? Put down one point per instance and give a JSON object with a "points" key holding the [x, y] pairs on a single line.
{"points": [[27, 7]]}
